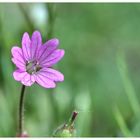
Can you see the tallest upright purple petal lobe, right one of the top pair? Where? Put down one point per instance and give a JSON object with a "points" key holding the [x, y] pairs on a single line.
{"points": [[36, 42]]}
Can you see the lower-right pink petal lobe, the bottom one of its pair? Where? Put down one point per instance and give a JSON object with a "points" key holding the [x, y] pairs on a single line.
{"points": [[44, 81]]}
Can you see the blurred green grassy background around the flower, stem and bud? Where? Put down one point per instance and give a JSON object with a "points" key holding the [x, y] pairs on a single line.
{"points": [[101, 68]]}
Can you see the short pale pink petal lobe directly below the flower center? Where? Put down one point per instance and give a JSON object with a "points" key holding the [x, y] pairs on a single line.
{"points": [[27, 80]]}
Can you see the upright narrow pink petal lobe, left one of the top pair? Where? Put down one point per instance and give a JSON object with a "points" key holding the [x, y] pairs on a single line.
{"points": [[26, 42]]}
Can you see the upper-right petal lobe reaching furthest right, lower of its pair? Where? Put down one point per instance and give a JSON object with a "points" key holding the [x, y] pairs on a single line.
{"points": [[53, 58]]}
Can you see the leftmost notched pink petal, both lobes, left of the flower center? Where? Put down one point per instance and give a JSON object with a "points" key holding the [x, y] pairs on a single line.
{"points": [[18, 58]]}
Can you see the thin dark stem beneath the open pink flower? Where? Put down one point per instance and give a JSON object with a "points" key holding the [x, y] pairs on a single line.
{"points": [[21, 110]]}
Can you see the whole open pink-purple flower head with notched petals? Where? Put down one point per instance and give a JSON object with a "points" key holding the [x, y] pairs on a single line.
{"points": [[34, 61]]}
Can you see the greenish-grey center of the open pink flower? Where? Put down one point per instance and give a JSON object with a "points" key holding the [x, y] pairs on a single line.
{"points": [[32, 67]]}
